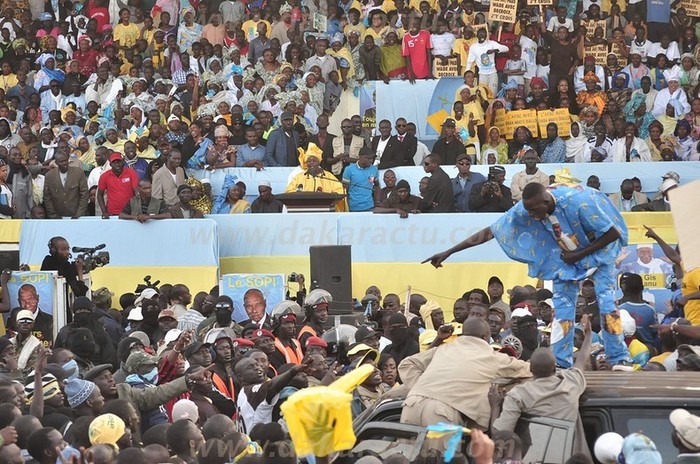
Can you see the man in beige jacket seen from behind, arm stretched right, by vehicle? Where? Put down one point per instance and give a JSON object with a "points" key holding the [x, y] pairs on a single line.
{"points": [[432, 399]]}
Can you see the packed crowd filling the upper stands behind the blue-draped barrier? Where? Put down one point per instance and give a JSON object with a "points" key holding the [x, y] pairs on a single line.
{"points": [[149, 94]]}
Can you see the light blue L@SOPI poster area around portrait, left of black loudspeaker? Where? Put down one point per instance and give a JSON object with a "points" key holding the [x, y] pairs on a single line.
{"points": [[235, 286]]}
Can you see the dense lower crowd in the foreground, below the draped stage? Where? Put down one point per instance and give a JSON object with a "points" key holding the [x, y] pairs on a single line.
{"points": [[161, 376]]}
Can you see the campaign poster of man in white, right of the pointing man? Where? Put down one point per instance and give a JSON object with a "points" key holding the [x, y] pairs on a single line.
{"points": [[656, 270]]}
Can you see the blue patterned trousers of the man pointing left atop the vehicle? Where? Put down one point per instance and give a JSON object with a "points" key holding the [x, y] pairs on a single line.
{"points": [[565, 294]]}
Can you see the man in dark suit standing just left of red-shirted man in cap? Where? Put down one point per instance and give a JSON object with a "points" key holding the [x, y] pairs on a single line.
{"points": [[65, 190]]}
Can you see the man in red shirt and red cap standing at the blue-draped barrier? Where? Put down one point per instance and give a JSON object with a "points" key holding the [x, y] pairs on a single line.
{"points": [[119, 184]]}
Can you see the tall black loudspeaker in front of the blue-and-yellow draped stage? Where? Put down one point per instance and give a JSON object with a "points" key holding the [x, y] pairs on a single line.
{"points": [[331, 270]]}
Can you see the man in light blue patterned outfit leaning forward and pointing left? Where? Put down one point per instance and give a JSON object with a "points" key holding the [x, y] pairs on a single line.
{"points": [[564, 234]]}
